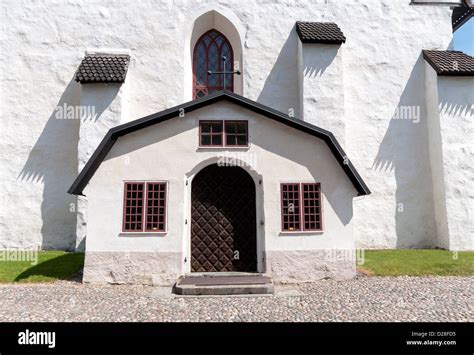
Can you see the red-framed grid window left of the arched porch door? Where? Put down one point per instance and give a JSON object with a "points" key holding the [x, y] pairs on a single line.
{"points": [[144, 207]]}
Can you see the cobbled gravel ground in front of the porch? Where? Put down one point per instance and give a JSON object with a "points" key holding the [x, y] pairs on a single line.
{"points": [[361, 299]]}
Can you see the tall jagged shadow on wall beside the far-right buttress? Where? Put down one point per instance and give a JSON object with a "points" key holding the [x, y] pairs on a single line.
{"points": [[405, 151]]}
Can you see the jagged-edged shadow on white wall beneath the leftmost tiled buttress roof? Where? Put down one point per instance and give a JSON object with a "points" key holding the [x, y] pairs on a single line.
{"points": [[53, 162]]}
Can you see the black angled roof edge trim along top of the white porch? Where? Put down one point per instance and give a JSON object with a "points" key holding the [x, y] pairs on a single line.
{"points": [[118, 131]]}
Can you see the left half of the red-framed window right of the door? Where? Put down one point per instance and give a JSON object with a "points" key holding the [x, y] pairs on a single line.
{"points": [[290, 207]]}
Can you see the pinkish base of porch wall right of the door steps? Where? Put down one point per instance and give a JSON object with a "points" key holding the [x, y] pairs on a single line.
{"points": [[291, 266]]}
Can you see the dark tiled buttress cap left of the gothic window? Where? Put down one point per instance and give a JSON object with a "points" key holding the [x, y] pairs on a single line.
{"points": [[103, 68]]}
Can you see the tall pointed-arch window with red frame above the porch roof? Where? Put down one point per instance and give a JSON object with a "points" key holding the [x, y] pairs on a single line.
{"points": [[208, 53]]}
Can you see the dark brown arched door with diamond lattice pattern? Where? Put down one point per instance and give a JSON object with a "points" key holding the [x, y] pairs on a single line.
{"points": [[223, 221]]}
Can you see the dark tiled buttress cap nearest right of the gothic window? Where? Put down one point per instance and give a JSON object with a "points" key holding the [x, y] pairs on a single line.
{"points": [[320, 32]]}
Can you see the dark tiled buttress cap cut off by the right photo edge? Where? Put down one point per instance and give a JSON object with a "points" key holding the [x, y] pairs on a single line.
{"points": [[450, 62]]}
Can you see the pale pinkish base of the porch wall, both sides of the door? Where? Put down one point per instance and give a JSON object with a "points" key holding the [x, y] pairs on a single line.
{"points": [[157, 268]]}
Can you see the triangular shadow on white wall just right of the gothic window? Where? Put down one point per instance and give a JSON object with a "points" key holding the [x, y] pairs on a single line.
{"points": [[281, 87]]}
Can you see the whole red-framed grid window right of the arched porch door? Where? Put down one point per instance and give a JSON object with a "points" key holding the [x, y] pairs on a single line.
{"points": [[301, 208]]}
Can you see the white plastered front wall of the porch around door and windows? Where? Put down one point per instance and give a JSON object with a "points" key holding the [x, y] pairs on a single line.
{"points": [[276, 154]]}
